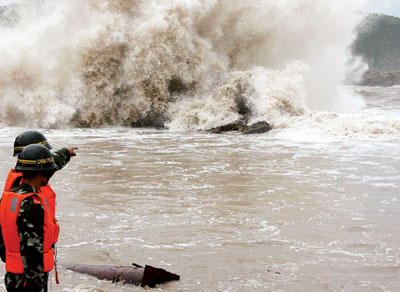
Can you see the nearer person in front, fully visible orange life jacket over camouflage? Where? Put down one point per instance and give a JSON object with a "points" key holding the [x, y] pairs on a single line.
{"points": [[27, 228]]}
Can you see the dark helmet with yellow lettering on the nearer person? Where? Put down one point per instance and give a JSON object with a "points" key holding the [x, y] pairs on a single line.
{"points": [[35, 157]]}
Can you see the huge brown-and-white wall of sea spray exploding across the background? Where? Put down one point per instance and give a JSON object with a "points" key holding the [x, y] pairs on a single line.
{"points": [[180, 64]]}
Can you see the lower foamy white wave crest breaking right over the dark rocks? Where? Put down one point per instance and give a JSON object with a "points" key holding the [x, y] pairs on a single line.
{"points": [[268, 95]]}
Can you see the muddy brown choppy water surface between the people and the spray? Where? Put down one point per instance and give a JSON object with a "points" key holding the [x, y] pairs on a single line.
{"points": [[228, 212]]}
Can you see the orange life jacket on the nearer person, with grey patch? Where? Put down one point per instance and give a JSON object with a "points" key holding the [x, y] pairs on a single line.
{"points": [[9, 210]]}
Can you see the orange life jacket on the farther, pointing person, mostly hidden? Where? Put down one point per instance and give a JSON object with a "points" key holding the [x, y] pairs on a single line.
{"points": [[47, 191]]}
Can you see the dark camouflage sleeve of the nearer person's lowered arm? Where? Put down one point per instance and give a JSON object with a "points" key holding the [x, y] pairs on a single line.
{"points": [[30, 229]]}
